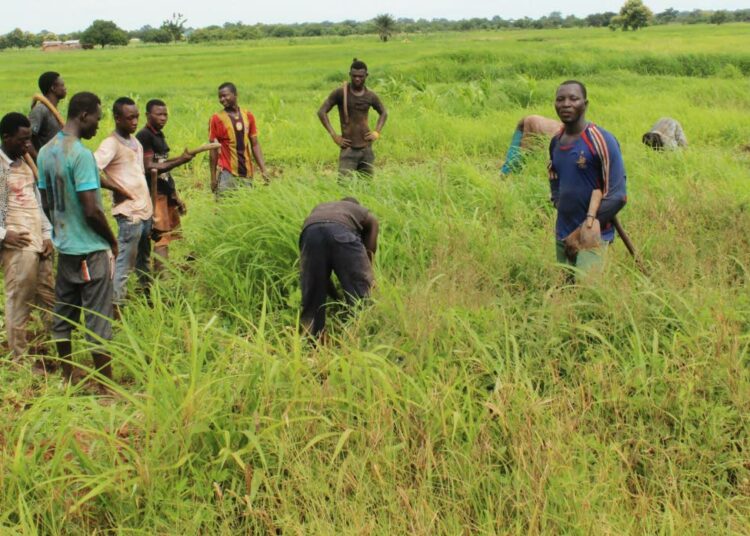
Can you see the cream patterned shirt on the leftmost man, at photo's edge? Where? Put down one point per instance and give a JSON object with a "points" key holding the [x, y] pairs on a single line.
{"points": [[23, 207]]}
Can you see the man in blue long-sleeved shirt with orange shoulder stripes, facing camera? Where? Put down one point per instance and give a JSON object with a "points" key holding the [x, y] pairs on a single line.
{"points": [[587, 182]]}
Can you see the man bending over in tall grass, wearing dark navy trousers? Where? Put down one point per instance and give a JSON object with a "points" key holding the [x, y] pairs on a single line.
{"points": [[339, 237]]}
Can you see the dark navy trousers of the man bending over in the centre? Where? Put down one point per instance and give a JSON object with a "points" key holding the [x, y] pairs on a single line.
{"points": [[326, 248]]}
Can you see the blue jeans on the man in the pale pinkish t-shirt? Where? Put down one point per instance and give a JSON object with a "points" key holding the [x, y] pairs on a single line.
{"points": [[134, 251]]}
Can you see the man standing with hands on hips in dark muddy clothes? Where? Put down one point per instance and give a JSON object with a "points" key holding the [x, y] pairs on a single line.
{"points": [[354, 101]]}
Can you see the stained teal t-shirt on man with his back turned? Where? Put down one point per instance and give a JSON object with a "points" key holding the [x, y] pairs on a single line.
{"points": [[66, 167]]}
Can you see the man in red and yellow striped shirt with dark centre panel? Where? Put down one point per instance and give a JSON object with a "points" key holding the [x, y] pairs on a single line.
{"points": [[237, 132]]}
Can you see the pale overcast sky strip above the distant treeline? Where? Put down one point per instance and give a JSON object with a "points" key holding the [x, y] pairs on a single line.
{"points": [[69, 15]]}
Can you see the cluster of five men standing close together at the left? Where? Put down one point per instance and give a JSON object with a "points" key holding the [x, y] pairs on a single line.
{"points": [[50, 197]]}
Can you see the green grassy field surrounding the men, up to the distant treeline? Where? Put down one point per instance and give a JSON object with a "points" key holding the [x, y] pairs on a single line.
{"points": [[477, 394]]}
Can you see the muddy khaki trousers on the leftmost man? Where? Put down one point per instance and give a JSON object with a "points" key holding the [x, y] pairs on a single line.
{"points": [[29, 282]]}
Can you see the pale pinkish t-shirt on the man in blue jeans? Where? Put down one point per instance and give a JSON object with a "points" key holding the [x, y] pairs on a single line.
{"points": [[122, 161]]}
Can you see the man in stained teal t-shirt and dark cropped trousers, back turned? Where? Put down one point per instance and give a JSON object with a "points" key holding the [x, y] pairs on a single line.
{"points": [[71, 196]]}
